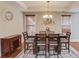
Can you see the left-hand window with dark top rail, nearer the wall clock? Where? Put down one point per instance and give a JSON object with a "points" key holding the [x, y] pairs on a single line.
{"points": [[30, 24]]}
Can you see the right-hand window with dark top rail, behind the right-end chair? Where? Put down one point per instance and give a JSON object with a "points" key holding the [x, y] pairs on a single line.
{"points": [[66, 23]]}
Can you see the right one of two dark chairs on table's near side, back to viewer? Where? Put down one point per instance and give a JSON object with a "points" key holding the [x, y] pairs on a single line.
{"points": [[54, 44]]}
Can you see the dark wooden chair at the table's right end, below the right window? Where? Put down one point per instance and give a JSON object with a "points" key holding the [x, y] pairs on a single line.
{"points": [[65, 42]]}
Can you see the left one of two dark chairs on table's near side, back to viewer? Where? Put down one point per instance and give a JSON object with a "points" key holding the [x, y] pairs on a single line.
{"points": [[40, 43]]}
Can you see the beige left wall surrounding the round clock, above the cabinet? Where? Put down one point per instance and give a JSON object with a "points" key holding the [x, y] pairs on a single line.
{"points": [[10, 27]]}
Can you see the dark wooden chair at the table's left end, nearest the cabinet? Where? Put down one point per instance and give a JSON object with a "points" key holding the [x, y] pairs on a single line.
{"points": [[28, 43]]}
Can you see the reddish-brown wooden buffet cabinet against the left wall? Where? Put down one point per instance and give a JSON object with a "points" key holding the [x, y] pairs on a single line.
{"points": [[10, 44]]}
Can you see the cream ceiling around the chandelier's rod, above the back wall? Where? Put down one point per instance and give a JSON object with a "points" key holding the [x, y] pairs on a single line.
{"points": [[55, 6]]}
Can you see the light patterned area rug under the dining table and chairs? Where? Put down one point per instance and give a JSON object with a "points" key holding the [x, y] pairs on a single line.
{"points": [[64, 54]]}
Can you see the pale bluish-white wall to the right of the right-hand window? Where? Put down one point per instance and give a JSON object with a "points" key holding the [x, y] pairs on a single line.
{"points": [[75, 27]]}
